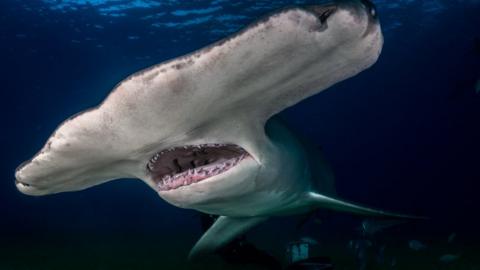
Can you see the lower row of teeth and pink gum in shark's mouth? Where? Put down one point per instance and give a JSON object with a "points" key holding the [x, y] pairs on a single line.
{"points": [[173, 181]]}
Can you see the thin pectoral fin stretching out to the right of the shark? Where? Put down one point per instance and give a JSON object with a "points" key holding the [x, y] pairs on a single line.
{"points": [[322, 201]]}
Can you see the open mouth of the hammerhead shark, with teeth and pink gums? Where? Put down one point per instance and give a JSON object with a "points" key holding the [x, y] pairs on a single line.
{"points": [[182, 166]]}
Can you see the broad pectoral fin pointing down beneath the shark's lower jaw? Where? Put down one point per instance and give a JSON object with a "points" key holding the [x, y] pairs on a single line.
{"points": [[222, 232]]}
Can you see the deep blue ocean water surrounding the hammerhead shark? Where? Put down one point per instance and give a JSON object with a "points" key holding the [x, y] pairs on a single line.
{"points": [[403, 136]]}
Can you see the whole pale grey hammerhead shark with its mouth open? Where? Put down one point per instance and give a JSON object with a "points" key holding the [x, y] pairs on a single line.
{"points": [[196, 129]]}
